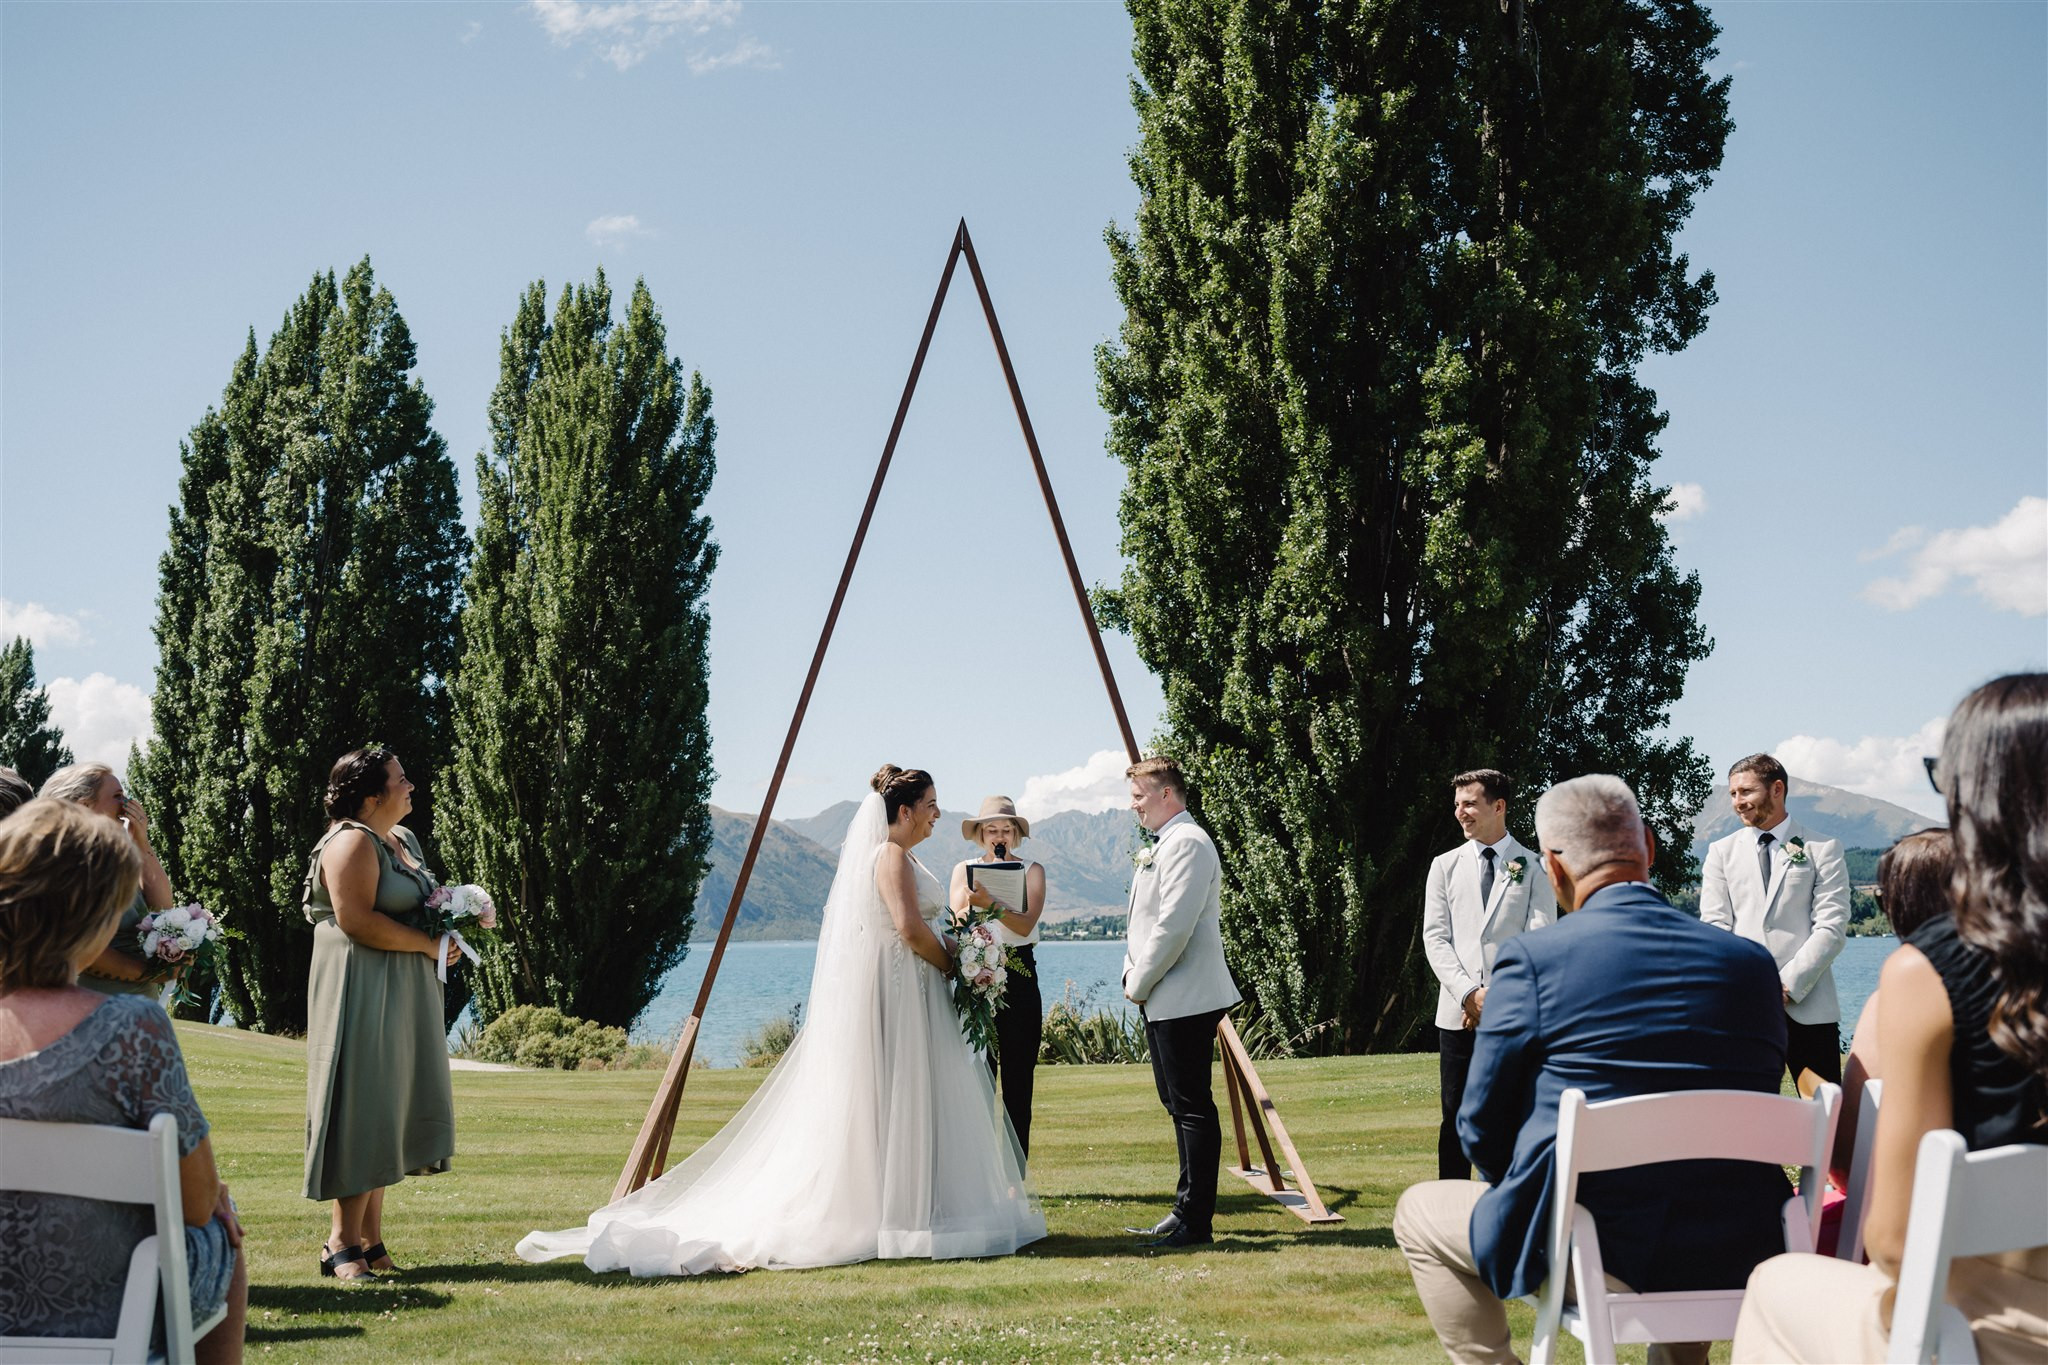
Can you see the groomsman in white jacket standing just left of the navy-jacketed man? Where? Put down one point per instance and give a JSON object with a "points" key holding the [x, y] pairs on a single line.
{"points": [[1480, 895]]}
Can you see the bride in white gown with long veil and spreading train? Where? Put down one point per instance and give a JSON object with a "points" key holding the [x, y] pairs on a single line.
{"points": [[878, 1135]]}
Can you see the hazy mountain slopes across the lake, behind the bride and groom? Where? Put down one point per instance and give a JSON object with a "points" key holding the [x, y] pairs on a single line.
{"points": [[1086, 867]]}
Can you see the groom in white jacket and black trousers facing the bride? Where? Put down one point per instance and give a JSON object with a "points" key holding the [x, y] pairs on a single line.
{"points": [[1177, 977]]}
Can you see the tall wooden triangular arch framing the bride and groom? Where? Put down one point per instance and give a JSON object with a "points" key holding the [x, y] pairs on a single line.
{"points": [[1248, 1096]]}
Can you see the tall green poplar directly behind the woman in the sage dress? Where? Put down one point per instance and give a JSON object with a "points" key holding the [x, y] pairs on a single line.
{"points": [[306, 607]]}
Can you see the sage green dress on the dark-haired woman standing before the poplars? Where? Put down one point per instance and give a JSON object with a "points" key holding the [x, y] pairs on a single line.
{"points": [[378, 1098]]}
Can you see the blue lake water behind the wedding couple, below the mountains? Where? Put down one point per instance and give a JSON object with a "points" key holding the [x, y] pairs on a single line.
{"points": [[765, 981]]}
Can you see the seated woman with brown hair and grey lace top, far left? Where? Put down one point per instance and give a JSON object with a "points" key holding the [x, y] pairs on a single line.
{"points": [[79, 1057]]}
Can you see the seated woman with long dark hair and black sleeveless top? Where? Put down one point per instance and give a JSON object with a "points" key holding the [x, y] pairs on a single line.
{"points": [[1963, 1024]]}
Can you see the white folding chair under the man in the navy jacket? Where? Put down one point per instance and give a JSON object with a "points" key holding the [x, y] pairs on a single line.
{"points": [[1648, 1131]]}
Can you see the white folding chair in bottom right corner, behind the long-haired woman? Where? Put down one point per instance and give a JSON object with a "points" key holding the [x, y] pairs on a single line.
{"points": [[1965, 1204]]}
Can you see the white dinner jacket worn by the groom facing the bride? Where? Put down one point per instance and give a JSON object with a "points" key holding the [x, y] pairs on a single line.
{"points": [[1175, 951]]}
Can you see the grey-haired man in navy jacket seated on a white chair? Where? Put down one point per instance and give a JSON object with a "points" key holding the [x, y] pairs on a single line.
{"points": [[1625, 996]]}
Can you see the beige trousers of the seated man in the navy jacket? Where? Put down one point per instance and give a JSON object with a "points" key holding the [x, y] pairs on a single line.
{"points": [[1433, 1225]]}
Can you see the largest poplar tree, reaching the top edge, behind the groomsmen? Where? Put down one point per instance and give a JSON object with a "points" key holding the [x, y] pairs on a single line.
{"points": [[1390, 502]]}
